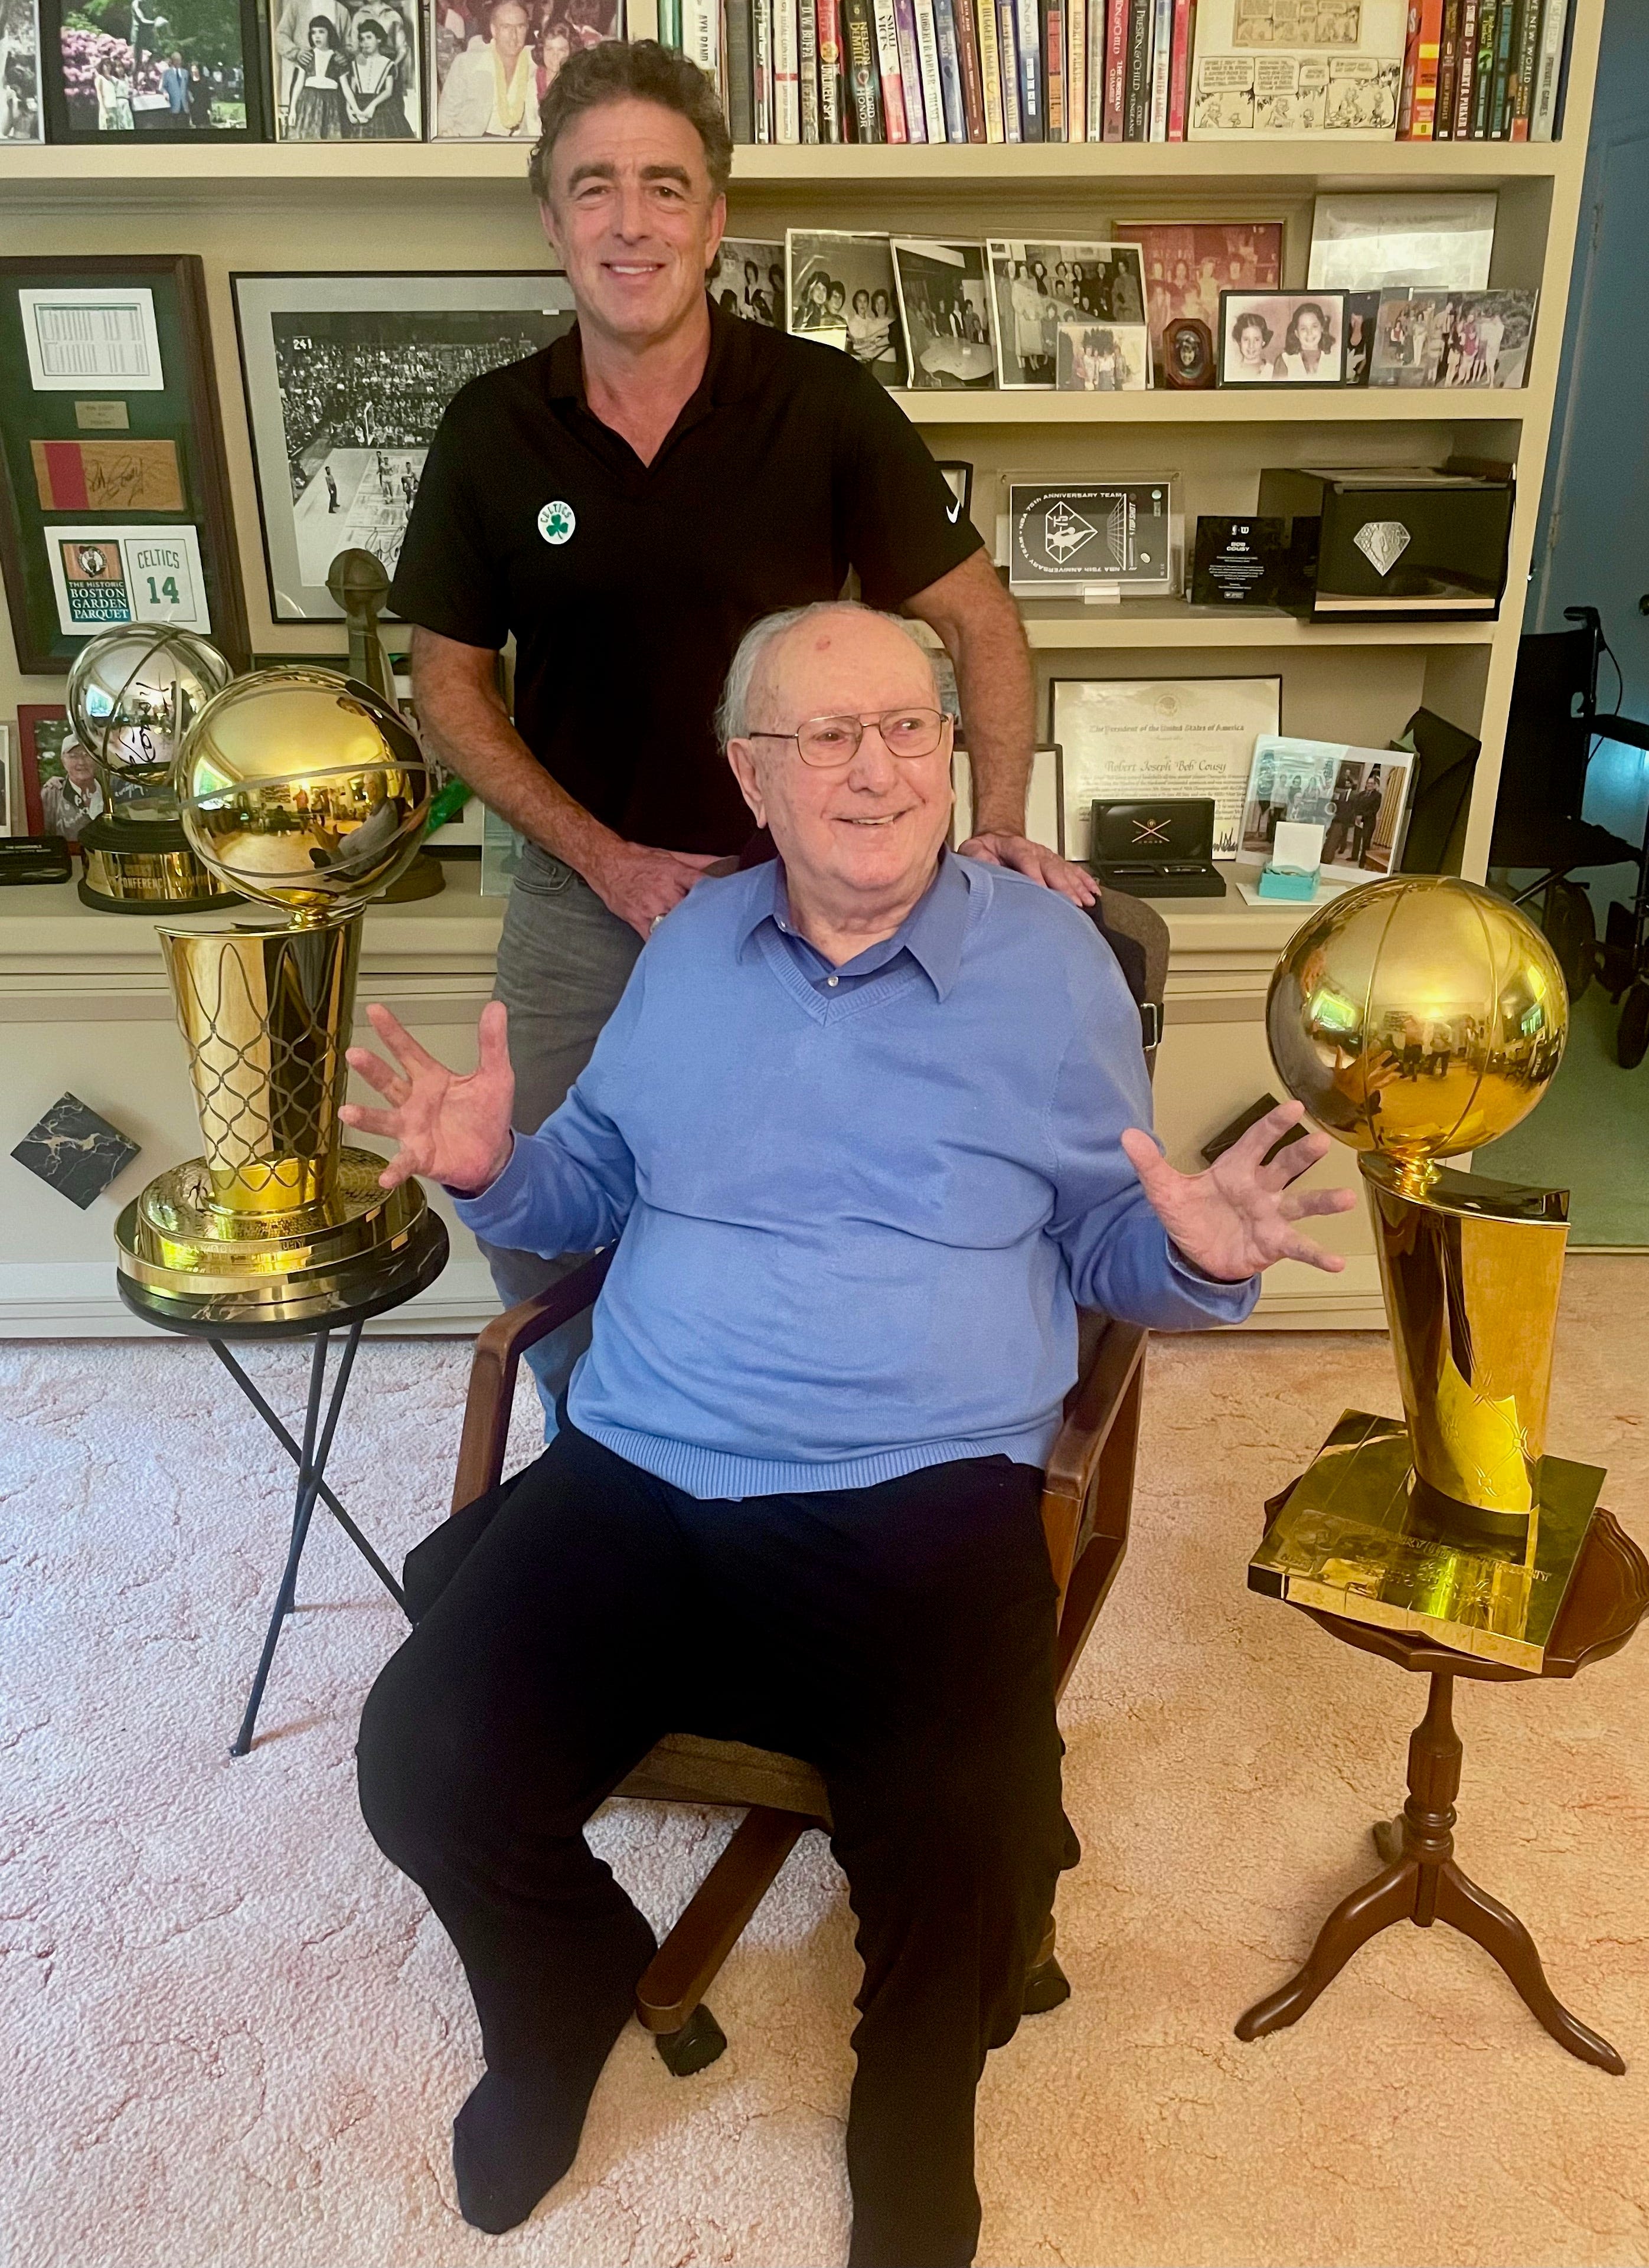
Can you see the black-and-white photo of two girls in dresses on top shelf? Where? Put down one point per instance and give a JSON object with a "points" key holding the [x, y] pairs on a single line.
{"points": [[346, 74]]}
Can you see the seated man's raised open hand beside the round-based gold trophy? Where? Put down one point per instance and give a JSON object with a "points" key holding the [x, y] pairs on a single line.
{"points": [[450, 1128]]}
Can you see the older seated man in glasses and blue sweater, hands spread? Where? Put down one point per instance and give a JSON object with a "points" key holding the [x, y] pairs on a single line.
{"points": [[870, 1122]]}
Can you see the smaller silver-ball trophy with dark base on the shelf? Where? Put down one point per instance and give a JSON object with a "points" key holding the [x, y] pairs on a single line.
{"points": [[133, 695]]}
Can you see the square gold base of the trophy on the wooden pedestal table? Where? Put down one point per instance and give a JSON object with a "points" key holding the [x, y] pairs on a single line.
{"points": [[1367, 1539]]}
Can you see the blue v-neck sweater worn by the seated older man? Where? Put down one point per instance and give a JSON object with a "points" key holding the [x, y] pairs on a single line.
{"points": [[859, 1217]]}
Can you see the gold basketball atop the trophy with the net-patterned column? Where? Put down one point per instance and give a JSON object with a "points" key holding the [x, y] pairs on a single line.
{"points": [[303, 788]]}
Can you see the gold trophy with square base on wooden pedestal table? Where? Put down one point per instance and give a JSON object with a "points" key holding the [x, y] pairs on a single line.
{"points": [[1419, 1019]]}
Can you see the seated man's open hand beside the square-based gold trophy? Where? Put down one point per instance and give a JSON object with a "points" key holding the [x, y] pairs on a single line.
{"points": [[1240, 1217]]}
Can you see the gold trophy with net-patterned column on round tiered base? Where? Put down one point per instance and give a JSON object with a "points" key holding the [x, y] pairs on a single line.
{"points": [[301, 790]]}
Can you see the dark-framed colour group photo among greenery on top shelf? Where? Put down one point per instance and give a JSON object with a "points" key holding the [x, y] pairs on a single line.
{"points": [[155, 69]]}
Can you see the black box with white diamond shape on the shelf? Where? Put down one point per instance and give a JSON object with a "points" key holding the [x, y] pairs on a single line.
{"points": [[1403, 543]]}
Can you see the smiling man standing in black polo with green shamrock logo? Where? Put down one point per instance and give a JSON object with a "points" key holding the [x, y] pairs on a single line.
{"points": [[627, 505]]}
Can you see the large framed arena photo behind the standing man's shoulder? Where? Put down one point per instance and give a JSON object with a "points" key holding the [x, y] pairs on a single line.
{"points": [[346, 382]]}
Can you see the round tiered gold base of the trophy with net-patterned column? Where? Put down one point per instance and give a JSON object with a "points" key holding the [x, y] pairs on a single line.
{"points": [[355, 1255]]}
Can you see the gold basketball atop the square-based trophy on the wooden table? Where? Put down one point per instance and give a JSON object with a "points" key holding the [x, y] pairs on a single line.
{"points": [[1419, 1017]]}
